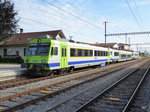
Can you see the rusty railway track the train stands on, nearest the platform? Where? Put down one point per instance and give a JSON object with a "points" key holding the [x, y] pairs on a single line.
{"points": [[27, 80]]}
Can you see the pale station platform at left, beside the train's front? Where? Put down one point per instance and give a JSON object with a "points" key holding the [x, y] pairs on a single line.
{"points": [[9, 71]]}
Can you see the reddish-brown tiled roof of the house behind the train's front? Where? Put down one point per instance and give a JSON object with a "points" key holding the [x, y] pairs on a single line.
{"points": [[23, 38]]}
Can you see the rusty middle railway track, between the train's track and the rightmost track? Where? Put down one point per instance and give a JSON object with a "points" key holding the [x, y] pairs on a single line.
{"points": [[63, 85]]}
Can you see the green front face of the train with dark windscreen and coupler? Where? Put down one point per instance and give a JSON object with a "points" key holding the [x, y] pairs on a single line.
{"points": [[37, 58]]}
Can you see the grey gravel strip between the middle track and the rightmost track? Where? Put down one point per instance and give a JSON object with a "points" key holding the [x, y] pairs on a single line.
{"points": [[71, 105]]}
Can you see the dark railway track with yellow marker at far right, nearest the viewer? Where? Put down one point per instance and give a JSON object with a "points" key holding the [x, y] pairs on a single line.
{"points": [[119, 96]]}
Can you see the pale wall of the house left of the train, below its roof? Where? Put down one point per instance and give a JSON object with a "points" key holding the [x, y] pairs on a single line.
{"points": [[13, 51]]}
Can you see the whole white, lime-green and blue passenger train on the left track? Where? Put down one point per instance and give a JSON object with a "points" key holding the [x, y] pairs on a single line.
{"points": [[46, 56]]}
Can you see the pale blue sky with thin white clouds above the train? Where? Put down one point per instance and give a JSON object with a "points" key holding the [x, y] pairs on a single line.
{"points": [[84, 19]]}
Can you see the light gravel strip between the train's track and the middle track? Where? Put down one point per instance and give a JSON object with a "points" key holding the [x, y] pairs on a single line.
{"points": [[30, 86]]}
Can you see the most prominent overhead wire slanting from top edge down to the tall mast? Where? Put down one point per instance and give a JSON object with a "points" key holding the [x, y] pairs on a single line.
{"points": [[72, 14]]}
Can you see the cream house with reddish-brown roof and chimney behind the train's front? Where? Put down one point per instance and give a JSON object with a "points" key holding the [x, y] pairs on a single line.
{"points": [[16, 45]]}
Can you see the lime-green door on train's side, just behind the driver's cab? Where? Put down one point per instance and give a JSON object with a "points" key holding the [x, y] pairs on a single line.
{"points": [[63, 56]]}
